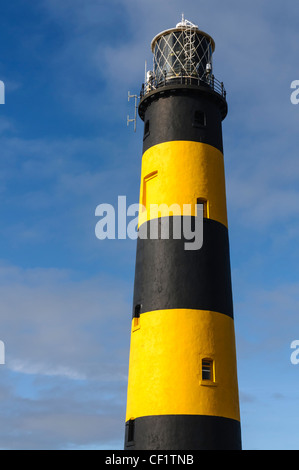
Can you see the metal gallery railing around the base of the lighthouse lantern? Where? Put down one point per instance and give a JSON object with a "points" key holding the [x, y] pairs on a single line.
{"points": [[207, 81]]}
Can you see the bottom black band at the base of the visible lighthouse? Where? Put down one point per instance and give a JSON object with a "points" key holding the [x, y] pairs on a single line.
{"points": [[183, 432]]}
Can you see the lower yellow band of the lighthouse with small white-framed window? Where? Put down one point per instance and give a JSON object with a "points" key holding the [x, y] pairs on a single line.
{"points": [[165, 372]]}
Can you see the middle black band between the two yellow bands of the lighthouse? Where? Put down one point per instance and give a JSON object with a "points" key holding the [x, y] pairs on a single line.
{"points": [[168, 277]]}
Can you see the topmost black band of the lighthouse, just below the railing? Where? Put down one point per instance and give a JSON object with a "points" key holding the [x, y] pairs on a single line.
{"points": [[172, 116]]}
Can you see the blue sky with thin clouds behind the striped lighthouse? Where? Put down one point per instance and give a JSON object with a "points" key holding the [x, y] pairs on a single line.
{"points": [[65, 296]]}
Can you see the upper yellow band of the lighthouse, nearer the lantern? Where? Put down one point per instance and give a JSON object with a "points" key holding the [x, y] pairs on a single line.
{"points": [[180, 172]]}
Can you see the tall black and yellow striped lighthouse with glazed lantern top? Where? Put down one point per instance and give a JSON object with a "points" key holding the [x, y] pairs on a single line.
{"points": [[182, 386]]}
